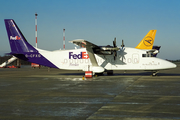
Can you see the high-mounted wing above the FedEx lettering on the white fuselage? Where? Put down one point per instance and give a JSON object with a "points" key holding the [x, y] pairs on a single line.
{"points": [[83, 43]]}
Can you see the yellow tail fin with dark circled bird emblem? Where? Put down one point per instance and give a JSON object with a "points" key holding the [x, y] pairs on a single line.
{"points": [[148, 41]]}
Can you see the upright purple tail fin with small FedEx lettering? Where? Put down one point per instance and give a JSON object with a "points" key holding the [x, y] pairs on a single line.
{"points": [[18, 42]]}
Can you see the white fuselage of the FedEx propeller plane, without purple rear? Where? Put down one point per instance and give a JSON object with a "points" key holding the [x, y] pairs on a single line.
{"points": [[127, 59]]}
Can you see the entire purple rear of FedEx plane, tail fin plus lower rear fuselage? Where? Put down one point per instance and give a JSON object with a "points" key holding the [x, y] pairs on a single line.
{"points": [[21, 48]]}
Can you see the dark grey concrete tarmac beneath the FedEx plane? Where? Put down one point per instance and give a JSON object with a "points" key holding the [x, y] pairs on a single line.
{"points": [[48, 94]]}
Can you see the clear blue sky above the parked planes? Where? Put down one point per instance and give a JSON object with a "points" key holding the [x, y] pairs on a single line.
{"points": [[97, 21]]}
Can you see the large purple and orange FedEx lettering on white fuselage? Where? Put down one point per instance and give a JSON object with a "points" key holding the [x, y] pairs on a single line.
{"points": [[82, 55]]}
